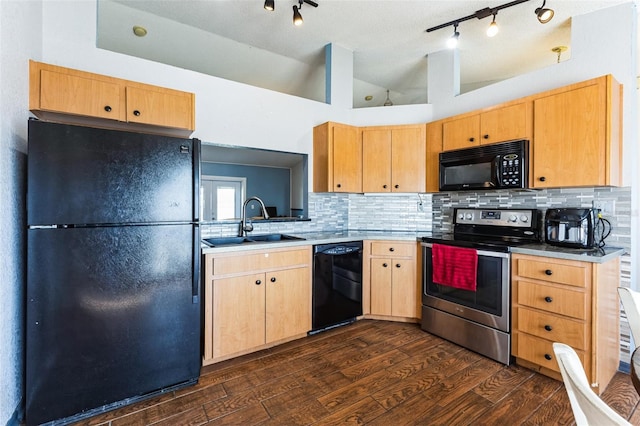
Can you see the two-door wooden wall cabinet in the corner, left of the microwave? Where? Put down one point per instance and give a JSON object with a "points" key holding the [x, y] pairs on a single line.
{"points": [[394, 158]]}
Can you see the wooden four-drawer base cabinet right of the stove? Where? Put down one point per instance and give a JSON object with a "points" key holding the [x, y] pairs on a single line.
{"points": [[567, 301]]}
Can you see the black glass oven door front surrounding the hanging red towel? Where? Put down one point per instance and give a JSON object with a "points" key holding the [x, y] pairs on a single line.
{"points": [[488, 294]]}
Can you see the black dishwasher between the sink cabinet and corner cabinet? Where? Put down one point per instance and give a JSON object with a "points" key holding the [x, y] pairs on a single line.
{"points": [[337, 284]]}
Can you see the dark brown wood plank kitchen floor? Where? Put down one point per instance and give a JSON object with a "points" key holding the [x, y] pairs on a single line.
{"points": [[373, 373]]}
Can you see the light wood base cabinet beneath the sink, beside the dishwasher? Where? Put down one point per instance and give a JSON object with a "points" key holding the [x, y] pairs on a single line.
{"points": [[254, 300]]}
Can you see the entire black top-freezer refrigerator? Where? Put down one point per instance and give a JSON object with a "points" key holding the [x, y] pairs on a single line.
{"points": [[113, 312]]}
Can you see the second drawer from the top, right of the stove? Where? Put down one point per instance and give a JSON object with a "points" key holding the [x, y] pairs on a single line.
{"points": [[553, 299]]}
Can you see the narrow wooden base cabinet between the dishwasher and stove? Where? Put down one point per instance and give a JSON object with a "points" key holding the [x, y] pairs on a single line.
{"points": [[393, 275]]}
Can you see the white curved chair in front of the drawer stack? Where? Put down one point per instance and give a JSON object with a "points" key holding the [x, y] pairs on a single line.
{"points": [[588, 408]]}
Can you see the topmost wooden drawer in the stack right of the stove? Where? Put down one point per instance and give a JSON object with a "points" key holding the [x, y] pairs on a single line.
{"points": [[575, 275]]}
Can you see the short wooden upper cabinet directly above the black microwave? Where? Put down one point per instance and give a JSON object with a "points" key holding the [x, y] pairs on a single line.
{"points": [[499, 124]]}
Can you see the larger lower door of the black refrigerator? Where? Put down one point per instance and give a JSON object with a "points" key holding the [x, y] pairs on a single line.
{"points": [[111, 315]]}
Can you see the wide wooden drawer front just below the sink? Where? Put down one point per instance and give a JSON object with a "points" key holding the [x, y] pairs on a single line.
{"points": [[259, 261]]}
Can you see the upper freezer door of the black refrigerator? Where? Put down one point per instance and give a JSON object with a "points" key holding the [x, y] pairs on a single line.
{"points": [[82, 175]]}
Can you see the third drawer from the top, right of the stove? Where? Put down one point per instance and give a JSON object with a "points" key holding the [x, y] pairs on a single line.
{"points": [[553, 328]]}
